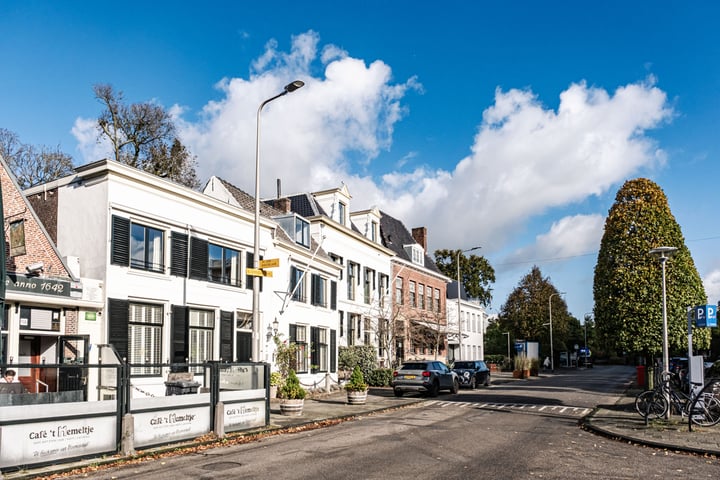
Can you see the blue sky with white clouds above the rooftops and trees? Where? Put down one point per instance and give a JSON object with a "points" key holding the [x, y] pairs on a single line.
{"points": [[509, 125]]}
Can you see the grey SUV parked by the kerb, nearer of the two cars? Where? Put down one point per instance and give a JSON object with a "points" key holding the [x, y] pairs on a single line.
{"points": [[424, 376]]}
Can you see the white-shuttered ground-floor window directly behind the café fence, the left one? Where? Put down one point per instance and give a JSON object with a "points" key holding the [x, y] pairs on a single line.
{"points": [[145, 338]]}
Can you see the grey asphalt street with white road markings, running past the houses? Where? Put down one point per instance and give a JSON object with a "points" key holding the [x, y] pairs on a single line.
{"points": [[518, 430]]}
